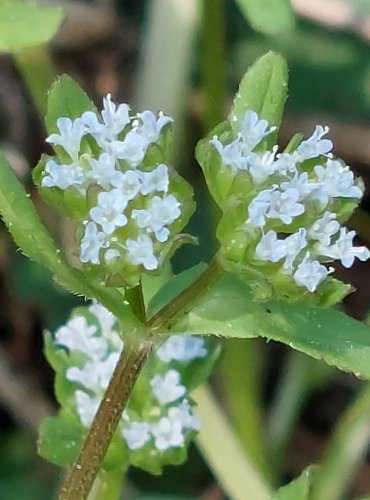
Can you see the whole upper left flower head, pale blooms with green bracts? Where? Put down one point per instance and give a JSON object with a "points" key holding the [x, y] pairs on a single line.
{"points": [[110, 175]]}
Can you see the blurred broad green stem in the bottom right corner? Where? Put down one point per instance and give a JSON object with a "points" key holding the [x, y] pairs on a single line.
{"points": [[346, 450]]}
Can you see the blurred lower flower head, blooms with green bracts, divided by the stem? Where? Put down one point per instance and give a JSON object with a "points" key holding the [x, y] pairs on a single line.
{"points": [[159, 417]]}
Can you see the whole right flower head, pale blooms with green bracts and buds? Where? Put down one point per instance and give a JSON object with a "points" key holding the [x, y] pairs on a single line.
{"points": [[284, 210]]}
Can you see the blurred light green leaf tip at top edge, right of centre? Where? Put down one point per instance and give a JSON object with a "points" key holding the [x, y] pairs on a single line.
{"points": [[270, 17]]}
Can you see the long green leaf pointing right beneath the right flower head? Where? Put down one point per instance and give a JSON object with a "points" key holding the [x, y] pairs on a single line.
{"points": [[228, 310]]}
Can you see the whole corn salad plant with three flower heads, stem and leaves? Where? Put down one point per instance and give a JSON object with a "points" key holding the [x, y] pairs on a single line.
{"points": [[126, 363]]}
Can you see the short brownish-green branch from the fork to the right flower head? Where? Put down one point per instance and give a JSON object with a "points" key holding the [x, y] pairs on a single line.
{"points": [[184, 300]]}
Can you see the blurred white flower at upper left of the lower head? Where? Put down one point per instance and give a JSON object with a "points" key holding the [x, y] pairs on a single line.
{"points": [[78, 335]]}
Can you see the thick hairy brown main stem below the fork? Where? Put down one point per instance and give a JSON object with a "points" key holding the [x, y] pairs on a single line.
{"points": [[87, 466]]}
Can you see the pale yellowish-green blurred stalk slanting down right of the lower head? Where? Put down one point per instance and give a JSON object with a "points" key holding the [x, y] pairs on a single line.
{"points": [[236, 473]]}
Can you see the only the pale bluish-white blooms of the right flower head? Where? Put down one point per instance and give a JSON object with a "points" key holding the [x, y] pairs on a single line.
{"points": [[290, 185]]}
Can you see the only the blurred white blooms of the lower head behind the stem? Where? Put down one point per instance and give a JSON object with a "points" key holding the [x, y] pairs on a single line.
{"points": [[171, 419]]}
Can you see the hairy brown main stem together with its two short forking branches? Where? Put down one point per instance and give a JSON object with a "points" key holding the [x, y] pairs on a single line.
{"points": [[86, 468]]}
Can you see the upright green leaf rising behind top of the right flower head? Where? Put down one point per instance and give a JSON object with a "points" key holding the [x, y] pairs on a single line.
{"points": [[264, 90]]}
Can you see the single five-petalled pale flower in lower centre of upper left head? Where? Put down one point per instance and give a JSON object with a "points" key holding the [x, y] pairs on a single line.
{"points": [[109, 211]]}
